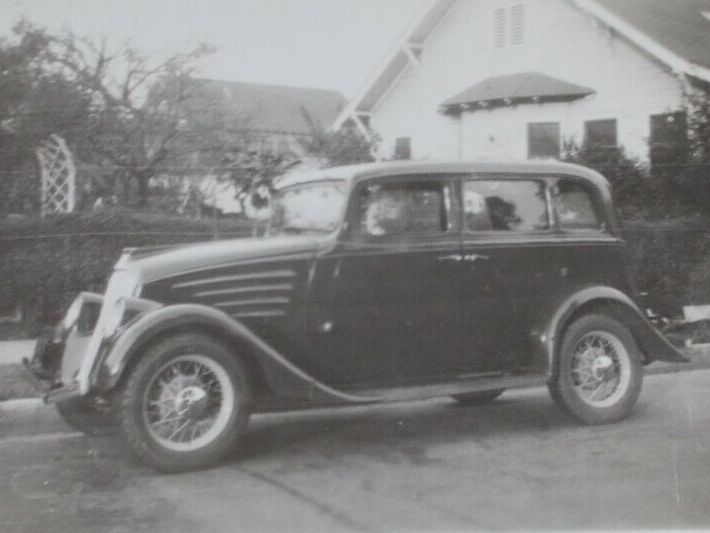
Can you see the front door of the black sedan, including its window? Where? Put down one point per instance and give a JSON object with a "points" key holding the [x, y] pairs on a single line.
{"points": [[395, 297]]}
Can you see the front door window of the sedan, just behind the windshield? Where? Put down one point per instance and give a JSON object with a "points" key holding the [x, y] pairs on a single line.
{"points": [[402, 207]]}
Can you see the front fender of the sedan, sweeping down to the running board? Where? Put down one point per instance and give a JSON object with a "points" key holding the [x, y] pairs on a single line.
{"points": [[281, 375]]}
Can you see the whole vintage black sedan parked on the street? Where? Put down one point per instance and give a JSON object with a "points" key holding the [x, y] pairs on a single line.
{"points": [[381, 282]]}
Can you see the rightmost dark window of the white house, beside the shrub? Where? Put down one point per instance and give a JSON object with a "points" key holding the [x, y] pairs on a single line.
{"points": [[669, 141]]}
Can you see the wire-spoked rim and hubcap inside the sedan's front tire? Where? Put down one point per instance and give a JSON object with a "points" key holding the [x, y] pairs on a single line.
{"points": [[188, 403]]}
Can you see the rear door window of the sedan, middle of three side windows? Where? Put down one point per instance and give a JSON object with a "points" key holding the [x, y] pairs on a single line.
{"points": [[505, 205]]}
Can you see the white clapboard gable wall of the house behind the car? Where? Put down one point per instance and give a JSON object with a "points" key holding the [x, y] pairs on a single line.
{"points": [[560, 41]]}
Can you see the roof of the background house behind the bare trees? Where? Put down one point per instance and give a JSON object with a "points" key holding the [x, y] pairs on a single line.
{"points": [[276, 108]]}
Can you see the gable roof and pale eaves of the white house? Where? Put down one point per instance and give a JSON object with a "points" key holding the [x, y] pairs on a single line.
{"points": [[675, 32]]}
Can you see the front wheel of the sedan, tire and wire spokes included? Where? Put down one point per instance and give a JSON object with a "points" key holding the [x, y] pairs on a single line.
{"points": [[185, 404]]}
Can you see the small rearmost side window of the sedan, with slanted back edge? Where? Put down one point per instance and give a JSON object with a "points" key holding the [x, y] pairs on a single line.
{"points": [[574, 205]]}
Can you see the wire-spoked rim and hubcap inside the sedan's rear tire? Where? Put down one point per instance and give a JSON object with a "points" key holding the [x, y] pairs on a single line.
{"points": [[601, 368]]}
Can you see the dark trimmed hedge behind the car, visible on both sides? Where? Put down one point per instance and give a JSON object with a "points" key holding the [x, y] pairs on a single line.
{"points": [[45, 262]]}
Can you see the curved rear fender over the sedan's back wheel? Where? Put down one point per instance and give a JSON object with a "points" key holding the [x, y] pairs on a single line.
{"points": [[547, 334]]}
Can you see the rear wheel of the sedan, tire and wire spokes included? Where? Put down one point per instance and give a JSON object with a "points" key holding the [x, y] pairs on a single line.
{"points": [[600, 372]]}
